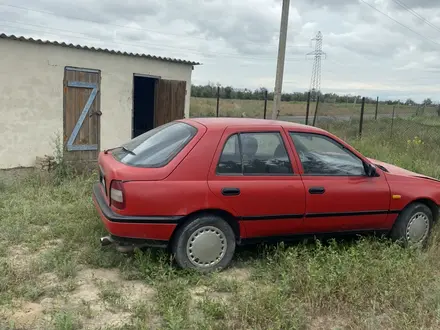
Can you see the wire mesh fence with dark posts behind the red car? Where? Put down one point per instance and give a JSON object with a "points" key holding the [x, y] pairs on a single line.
{"points": [[395, 123]]}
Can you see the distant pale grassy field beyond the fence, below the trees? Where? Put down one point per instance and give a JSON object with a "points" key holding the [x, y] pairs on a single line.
{"points": [[254, 108]]}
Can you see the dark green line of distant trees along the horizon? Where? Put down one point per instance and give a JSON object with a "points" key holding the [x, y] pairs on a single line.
{"points": [[229, 92]]}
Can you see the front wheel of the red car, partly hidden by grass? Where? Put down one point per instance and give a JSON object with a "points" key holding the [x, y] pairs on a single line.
{"points": [[413, 225]]}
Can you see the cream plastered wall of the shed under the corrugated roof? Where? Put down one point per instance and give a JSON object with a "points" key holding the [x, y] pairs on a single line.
{"points": [[31, 95]]}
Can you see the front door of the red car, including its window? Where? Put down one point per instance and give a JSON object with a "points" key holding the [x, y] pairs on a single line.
{"points": [[339, 194]]}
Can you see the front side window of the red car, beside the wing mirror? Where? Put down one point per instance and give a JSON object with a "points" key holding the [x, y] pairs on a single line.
{"points": [[321, 155]]}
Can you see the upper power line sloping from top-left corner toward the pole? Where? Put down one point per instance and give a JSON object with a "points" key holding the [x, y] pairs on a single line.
{"points": [[119, 25]]}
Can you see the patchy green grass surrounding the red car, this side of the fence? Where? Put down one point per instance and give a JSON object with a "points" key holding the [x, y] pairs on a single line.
{"points": [[55, 275]]}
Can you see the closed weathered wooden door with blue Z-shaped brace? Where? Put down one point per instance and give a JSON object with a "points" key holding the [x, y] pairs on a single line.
{"points": [[82, 113]]}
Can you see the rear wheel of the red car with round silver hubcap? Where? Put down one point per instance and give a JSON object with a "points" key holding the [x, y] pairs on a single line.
{"points": [[205, 243]]}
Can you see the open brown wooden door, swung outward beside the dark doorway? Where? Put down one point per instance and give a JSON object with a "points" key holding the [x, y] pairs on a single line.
{"points": [[170, 101]]}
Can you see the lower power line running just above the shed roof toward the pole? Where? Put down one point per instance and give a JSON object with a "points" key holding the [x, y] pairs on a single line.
{"points": [[161, 47]]}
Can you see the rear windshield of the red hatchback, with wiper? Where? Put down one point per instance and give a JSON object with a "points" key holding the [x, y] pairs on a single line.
{"points": [[157, 147]]}
